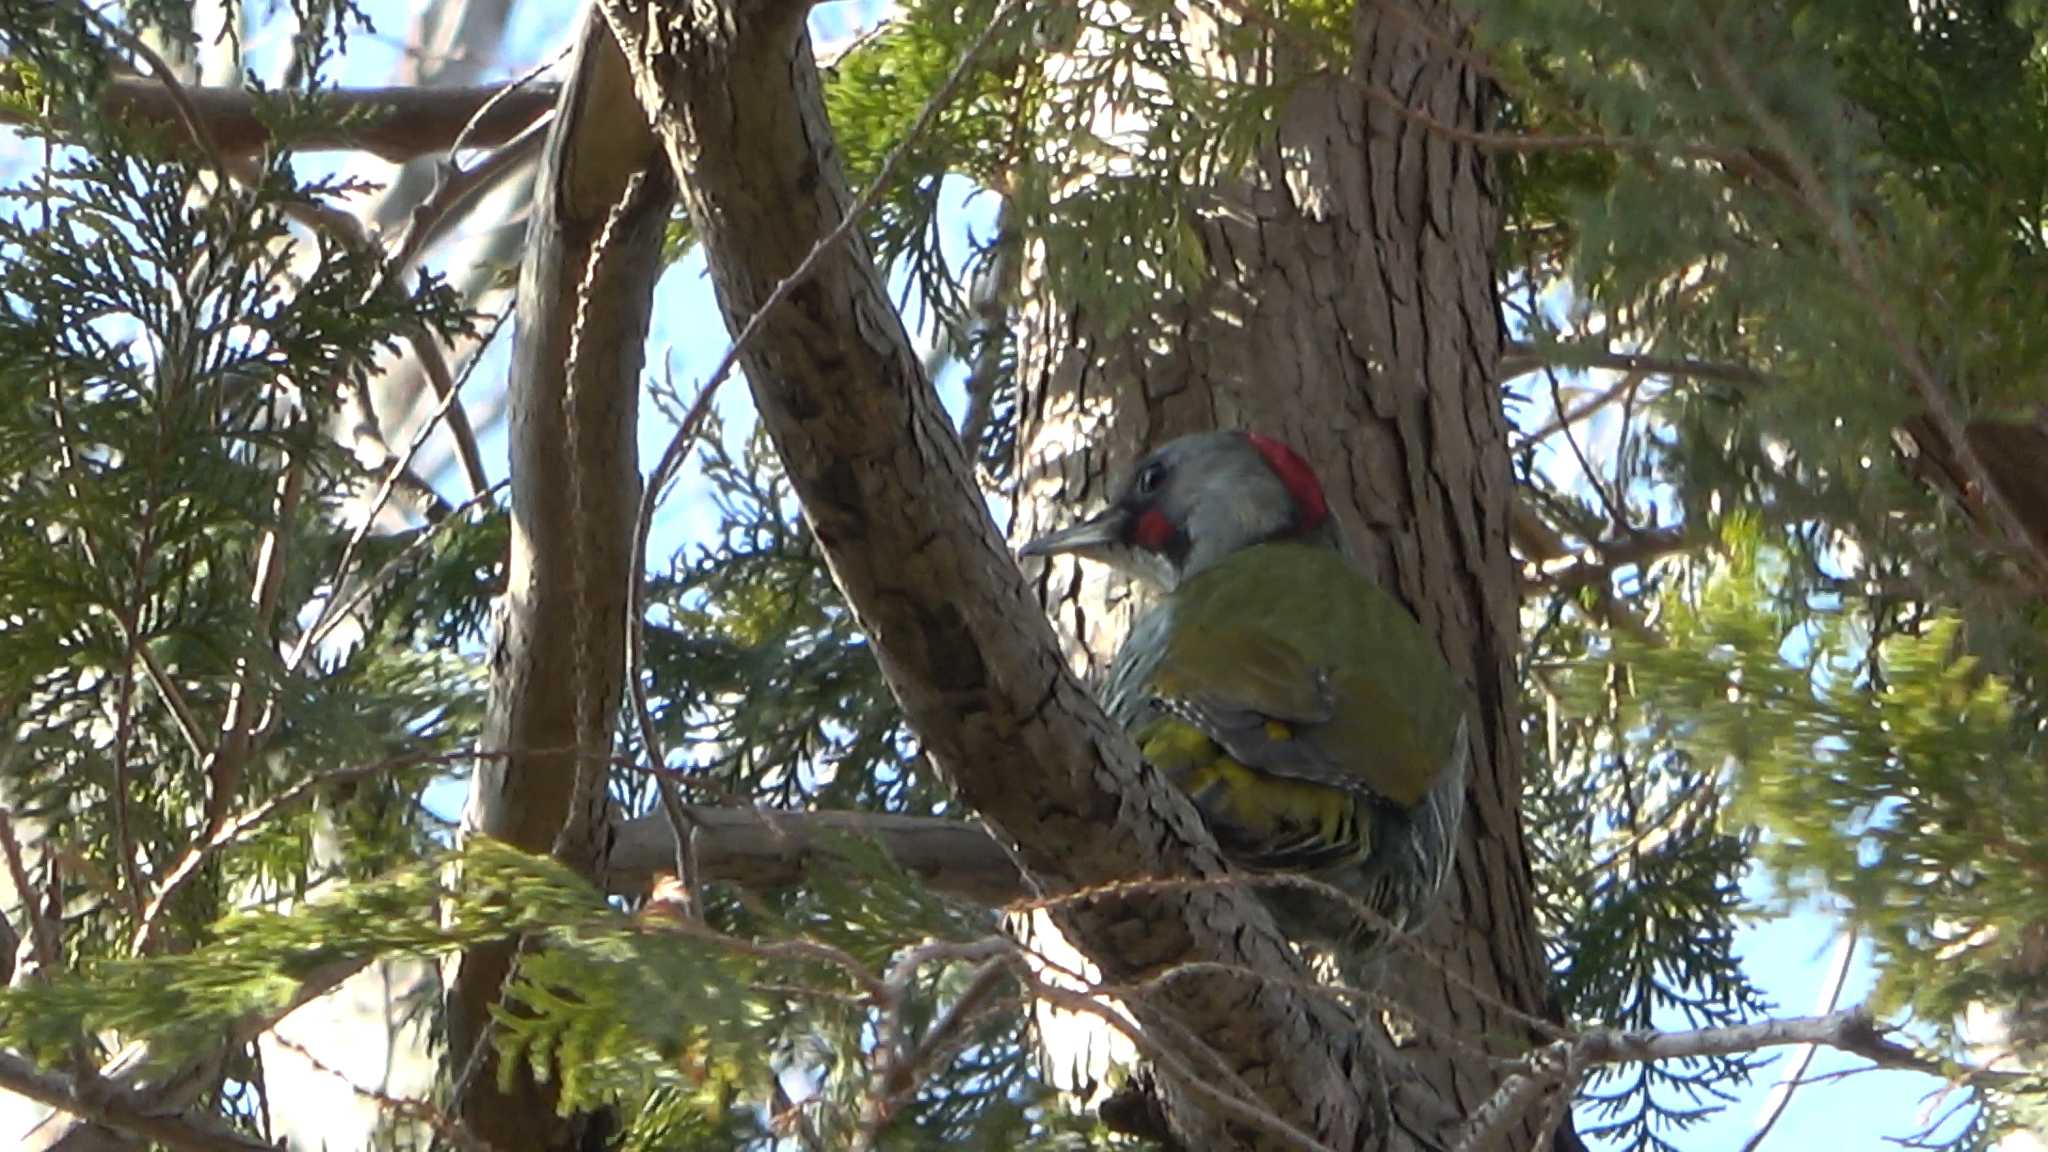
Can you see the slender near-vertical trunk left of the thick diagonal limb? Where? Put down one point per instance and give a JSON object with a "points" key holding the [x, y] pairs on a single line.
{"points": [[558, 618]]}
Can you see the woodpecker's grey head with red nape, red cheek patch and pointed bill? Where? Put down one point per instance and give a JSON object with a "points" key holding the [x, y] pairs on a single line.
{"points": [[1195, 501]]}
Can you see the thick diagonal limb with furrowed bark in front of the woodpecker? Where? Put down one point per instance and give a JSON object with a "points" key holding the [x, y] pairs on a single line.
{"points": [[734, 95]]}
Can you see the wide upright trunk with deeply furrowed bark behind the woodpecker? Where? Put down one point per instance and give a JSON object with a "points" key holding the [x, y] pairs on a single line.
{"points": [[1353, 315]]}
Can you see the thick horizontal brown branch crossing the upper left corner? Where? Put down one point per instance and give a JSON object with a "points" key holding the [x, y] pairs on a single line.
{"points": [[394, 124]]}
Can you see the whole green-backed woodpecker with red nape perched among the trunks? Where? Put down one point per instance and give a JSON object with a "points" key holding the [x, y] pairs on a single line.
{"points": [[1304, 710]]}
